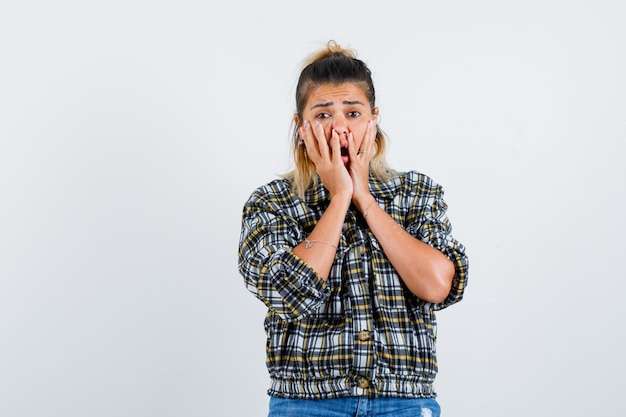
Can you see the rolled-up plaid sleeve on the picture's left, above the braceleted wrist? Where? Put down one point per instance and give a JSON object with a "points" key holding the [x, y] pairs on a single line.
{"points": [[285, 283]]}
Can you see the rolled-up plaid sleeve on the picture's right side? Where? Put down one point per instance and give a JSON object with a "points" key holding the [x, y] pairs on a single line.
{"points": [[428, 222]]}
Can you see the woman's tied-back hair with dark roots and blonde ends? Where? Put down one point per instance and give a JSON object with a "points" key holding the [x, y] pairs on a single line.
{"points": [[332, 65]]}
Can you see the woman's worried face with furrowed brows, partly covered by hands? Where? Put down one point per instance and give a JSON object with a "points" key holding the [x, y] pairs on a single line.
{"points": [[340, 107]]}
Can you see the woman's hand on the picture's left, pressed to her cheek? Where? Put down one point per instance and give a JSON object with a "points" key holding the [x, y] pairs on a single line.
{"points": [[326, 156]]}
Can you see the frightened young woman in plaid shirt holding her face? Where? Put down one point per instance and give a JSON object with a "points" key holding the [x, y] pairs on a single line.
{"points": [[351, 258]]}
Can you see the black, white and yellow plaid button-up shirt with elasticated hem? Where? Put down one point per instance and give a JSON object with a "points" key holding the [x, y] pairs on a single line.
{"points": [[361, 332]]}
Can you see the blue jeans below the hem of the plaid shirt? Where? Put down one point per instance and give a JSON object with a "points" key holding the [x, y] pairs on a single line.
{"points": [[355, 407]]}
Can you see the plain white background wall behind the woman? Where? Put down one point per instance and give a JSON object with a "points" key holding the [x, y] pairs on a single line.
{"points": [[132, 132]]}
